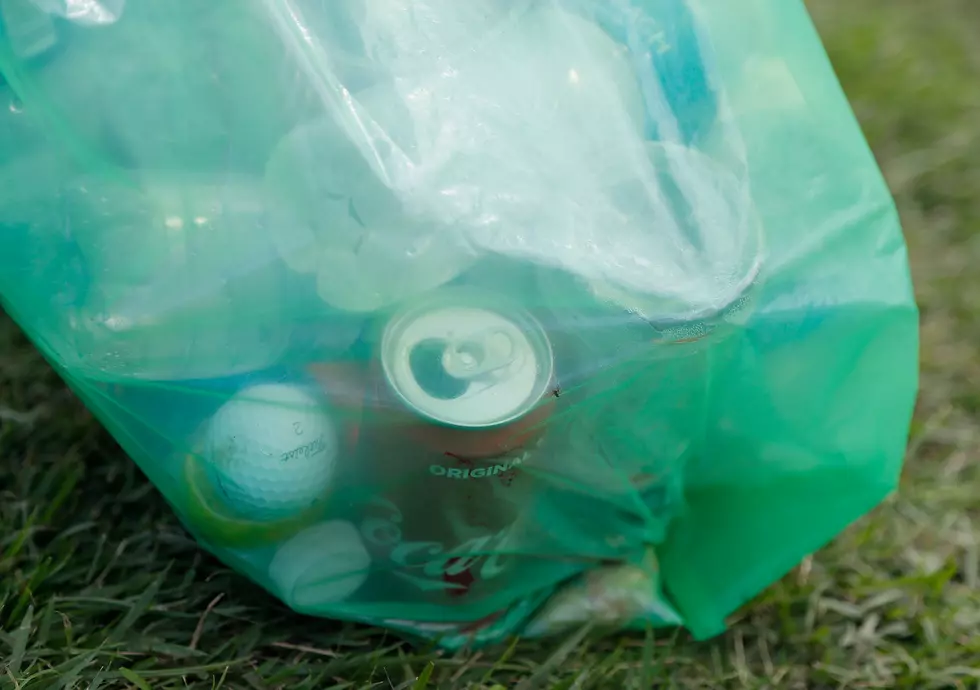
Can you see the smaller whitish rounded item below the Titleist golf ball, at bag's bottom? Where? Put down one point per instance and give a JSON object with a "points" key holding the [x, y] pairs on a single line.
{"points": [[322, 564]]}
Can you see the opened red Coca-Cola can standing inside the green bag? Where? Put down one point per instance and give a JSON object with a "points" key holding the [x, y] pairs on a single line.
{"points": [[462, 395]]}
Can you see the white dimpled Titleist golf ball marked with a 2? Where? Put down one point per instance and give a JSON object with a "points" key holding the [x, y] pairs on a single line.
{"points": [[272, 451]]}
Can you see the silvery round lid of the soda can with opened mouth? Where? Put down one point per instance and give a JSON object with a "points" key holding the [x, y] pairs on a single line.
{"points": [[466, 364]]}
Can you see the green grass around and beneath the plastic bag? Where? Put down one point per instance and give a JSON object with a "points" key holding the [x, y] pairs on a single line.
{"points": [[100, 588]]}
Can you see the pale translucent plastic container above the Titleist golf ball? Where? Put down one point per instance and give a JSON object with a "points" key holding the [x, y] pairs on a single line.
{"points": [[183, 281]]}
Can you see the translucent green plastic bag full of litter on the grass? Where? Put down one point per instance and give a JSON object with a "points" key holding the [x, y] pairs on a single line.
{"points": [[465, 318]]}
